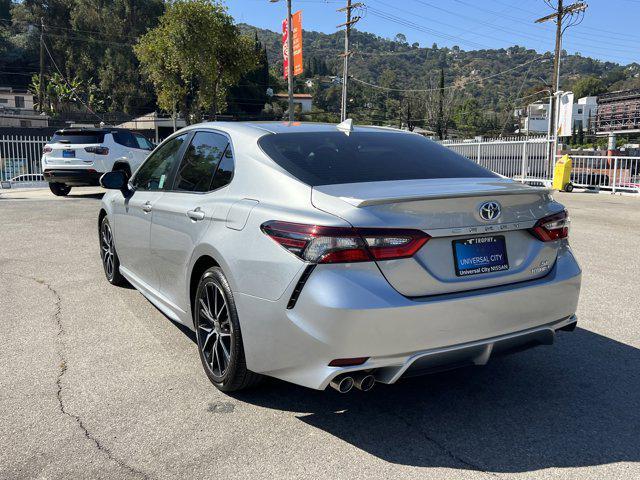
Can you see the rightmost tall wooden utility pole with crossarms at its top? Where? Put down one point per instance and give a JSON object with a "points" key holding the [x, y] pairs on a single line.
{"points": [[558, 16]]}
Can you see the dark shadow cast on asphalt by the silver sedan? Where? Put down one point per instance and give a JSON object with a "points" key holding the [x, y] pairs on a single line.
{"points": [[571, 405]]}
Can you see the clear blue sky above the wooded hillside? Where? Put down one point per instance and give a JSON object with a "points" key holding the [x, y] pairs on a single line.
{"points": [[610, 29]]}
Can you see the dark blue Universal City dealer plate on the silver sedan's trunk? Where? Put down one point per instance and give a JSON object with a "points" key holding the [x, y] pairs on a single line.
{"points": [[480, 255]]}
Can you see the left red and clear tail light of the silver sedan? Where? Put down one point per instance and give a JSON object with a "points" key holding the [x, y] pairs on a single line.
{"points": [[318, 244]]}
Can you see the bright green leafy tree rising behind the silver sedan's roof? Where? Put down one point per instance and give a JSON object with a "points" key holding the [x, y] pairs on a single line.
{"points": [[193, 56]]}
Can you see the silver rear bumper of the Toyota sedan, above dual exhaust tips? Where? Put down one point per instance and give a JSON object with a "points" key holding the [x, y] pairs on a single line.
{"points": [[352, 311]]}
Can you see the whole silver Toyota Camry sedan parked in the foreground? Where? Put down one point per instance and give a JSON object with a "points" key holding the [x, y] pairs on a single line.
{"points": [[337, 255]]}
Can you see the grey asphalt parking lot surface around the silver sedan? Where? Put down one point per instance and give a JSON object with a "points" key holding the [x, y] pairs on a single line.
{"points": [[97, 383]]}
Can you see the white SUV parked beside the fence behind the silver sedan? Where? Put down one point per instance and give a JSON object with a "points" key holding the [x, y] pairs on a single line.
{"points": [[79, 157]]}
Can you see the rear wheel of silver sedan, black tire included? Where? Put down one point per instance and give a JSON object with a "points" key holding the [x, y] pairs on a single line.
{"points": [[225, 367]]}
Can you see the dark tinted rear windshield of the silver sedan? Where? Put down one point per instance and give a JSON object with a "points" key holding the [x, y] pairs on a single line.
{"points": [[328, 158]]}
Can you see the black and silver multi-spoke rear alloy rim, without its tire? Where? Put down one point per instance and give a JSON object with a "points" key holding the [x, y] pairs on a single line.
{"points": [[214, 329]]}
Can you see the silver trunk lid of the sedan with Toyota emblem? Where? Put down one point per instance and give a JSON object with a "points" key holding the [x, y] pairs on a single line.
{"points": [[449, 211]]}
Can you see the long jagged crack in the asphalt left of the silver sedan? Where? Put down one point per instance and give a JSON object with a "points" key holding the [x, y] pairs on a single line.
{"points": [[59, 381]]}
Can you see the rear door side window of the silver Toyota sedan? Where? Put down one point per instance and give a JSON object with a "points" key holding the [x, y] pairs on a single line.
{"points": [[200, 162]]}
